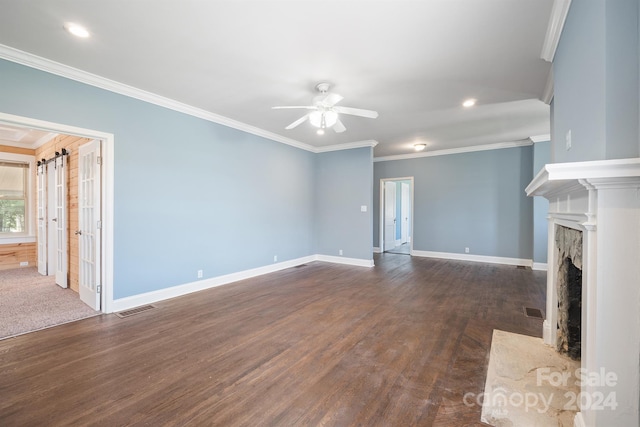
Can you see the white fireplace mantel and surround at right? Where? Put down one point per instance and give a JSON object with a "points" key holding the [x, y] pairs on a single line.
{"points": [[602, 200]]}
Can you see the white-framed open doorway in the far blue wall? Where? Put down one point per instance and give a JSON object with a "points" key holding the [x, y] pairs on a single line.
{"points": [[396, 215]]}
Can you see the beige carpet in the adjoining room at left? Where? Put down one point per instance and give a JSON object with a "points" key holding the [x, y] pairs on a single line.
{"points": [[29, 302]]}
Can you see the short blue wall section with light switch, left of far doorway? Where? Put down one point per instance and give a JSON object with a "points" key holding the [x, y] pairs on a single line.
{"points": [[344, 184]]}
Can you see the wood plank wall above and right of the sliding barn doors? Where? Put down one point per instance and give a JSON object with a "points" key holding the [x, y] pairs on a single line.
{"points": [[47, 151]]}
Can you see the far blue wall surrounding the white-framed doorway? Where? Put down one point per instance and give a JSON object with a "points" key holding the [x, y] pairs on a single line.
{"points": [[474, 200]]}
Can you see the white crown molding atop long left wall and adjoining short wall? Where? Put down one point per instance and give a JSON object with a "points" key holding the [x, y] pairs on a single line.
{"points": [[53, 67]]}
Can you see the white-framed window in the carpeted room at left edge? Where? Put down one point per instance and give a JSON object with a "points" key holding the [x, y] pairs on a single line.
{"points": [[15, 197]]}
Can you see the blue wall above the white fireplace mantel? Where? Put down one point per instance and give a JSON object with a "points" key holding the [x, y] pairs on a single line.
{"points": [[596, 83]]}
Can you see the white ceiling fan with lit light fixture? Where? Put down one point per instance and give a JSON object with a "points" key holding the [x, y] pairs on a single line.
{"points": [[325, 113]]}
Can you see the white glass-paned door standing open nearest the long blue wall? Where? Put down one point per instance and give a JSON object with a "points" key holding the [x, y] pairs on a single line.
{"points": [[89, 223]]}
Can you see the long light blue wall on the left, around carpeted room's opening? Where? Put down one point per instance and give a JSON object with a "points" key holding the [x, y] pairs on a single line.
{"points": [[189, 194]]}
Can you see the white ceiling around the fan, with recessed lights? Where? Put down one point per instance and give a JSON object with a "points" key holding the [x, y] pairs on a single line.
{"points": [[412, 61]]}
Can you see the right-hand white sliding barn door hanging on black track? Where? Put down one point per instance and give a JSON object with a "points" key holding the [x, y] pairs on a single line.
{"points": [[60, 221]]}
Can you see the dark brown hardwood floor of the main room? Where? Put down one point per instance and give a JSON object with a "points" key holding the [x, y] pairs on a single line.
{"points": [[395, 345]]}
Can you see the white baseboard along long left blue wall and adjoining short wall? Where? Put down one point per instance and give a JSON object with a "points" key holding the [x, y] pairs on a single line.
{"points": [[200, 285]]}
